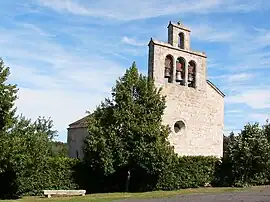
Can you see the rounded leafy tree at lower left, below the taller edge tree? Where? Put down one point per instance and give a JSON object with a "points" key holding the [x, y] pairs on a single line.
{"points": [[23, 151]]}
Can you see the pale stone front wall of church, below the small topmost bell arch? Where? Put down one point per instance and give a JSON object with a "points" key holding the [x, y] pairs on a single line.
{"points": [[200, 110]]}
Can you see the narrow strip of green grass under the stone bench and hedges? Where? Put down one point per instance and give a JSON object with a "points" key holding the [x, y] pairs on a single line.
{"points": [[115, 196]]}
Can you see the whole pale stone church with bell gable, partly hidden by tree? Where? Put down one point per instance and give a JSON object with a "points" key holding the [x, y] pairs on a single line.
{"points": [[195, 106]]}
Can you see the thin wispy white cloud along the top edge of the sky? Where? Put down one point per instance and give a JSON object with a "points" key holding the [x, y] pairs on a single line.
{"points": [[122, 10]]}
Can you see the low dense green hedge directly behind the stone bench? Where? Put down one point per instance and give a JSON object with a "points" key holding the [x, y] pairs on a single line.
{"points": [[53, 173]]}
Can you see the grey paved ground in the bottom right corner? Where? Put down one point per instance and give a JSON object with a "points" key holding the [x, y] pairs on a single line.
{"points": [[258, 195]]}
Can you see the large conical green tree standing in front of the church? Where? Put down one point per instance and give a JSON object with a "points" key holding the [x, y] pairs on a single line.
{"points": [[126, 134]]}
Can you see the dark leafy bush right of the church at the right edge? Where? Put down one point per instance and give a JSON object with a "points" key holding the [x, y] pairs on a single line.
{"points": [[248, 158]]}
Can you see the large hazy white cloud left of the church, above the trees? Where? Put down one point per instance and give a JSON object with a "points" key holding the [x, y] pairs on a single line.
{"points": [[54, 81]]}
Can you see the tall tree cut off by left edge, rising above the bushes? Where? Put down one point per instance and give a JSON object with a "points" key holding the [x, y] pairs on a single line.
{"points": [[7, 99]]}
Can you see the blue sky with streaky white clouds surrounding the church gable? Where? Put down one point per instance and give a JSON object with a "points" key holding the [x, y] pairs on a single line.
{"points": [[65, 55]]}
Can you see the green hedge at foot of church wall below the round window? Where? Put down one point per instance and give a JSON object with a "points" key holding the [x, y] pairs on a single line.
{"points": [[188, 172]]}
